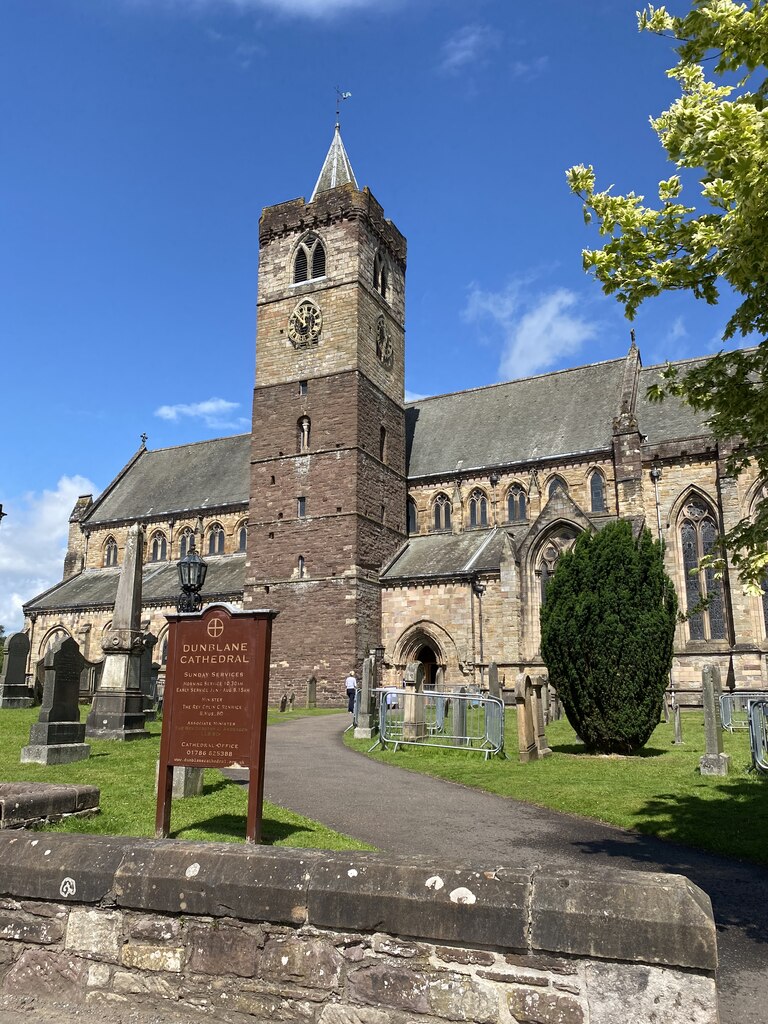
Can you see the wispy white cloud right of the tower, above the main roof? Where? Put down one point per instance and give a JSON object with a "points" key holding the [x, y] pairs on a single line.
{"points": [[537, 330]]}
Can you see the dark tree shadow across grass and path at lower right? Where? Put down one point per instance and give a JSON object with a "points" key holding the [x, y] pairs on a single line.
{"points": [[739, 889]]}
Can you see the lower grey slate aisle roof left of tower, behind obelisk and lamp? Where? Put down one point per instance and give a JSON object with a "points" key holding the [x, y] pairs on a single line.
{"points": [[96, 588]]}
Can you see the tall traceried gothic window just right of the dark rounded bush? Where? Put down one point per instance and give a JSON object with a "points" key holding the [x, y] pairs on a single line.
{"points": [[699, 538]]}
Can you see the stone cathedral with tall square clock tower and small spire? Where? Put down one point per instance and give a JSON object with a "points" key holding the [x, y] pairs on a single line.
{"points": [[430, 529]]}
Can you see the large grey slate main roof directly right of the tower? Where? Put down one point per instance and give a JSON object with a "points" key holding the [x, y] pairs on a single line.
{"points": [[558, 414]]}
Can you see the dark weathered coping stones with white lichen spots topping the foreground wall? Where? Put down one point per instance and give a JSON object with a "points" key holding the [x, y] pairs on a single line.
{"points": [[621, 916]]}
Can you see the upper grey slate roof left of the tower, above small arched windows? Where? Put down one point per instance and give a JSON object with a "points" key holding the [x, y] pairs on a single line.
{"points": [[176, 480]]}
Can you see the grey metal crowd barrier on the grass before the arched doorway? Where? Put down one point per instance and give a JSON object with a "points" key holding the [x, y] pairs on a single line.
{"points": [[449, 720]]}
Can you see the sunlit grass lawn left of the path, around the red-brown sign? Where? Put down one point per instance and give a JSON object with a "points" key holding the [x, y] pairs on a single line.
{"points": [[125, 774]]}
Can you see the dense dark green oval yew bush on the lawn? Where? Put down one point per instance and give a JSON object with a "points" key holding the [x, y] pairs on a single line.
{"points": [[608, 630]]}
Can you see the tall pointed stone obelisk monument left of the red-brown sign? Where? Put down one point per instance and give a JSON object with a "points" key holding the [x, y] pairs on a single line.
{"points": [[118, 704]]}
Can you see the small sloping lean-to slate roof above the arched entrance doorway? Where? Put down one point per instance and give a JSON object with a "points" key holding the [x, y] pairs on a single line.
{"points": [[448, 554]]}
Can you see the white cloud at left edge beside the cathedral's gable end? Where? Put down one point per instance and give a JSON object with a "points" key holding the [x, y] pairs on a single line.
{"points": [[33, 545]]}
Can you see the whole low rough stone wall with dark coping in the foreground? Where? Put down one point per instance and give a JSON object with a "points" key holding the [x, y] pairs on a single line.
{"points": [[240, 932]]}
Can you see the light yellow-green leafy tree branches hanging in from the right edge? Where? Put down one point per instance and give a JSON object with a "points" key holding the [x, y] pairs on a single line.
{"points": [[716, 135]]}
